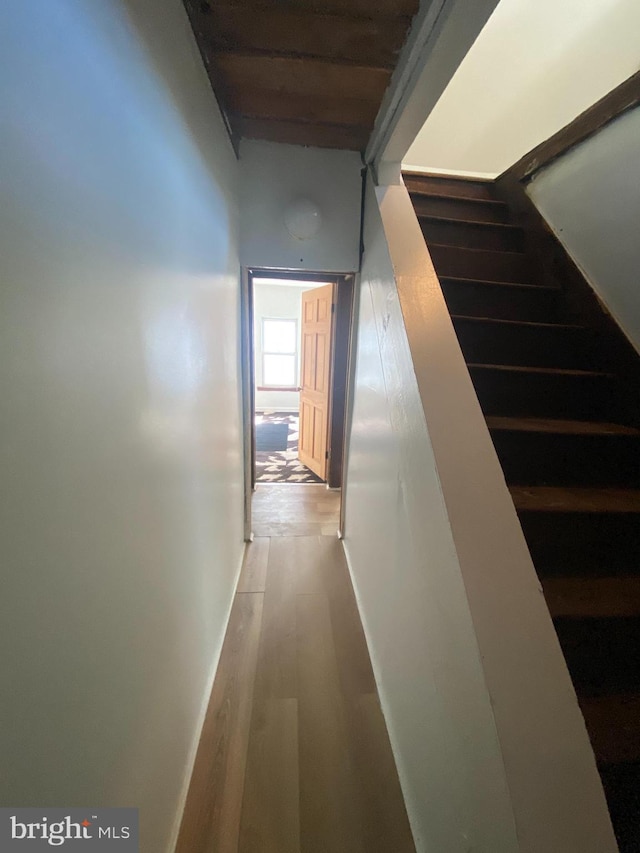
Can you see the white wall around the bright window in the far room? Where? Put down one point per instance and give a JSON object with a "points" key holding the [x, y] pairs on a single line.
{"points": [[276, 302]]}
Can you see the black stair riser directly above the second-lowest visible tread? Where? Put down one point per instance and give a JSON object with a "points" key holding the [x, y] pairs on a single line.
{"points": [[564, 544]]}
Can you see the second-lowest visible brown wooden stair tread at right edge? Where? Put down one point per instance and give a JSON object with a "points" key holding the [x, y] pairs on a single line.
{"points": [[592, 597]]}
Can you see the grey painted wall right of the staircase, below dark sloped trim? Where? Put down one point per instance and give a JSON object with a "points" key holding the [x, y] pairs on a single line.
{"points": [[591, 199]]}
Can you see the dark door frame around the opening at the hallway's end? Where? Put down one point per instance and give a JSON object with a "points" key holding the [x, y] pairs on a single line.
{"points": [[342, 346]]}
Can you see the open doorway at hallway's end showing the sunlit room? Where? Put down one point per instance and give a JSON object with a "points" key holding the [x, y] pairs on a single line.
{"points": [[299, 328]]}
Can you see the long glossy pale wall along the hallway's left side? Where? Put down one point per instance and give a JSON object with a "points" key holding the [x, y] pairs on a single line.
{"points": [[121, 521]]}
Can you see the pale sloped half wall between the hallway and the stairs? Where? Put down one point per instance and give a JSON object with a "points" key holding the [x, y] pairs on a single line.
{"points": [[490, 743]]}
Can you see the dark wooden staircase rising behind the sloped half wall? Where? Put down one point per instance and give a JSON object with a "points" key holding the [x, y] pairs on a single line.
{"points": [[565, 428]]}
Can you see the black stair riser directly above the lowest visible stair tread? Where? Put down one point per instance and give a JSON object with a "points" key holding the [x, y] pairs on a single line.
{"points": [[602, 654]]}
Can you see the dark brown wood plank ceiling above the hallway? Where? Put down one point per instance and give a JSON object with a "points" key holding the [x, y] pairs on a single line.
{"points": [[307, 72]]}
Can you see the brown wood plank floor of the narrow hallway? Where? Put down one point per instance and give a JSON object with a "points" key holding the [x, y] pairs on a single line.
{"points": [[294, 755]]}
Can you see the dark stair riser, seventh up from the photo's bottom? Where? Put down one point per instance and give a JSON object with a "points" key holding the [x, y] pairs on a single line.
{"points": [[503, 303]]}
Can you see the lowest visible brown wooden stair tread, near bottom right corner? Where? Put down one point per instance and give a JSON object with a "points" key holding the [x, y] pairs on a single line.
{"points": [[613, 723]]}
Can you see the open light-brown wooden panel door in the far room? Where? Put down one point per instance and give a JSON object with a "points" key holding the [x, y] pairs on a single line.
{"points": [[315, 382]]}
